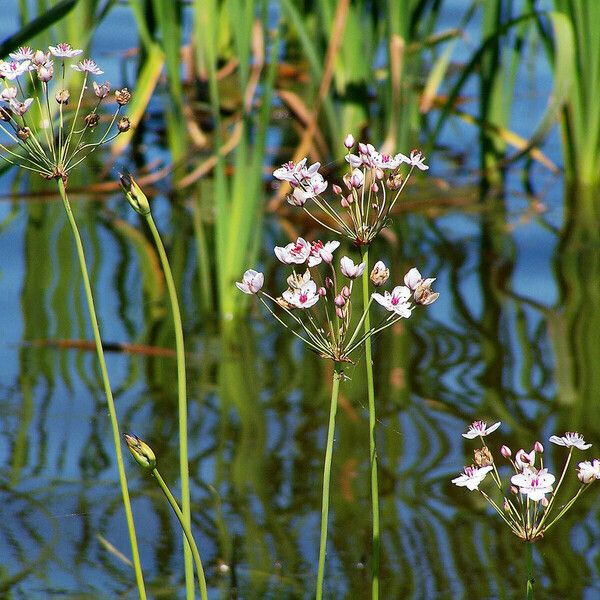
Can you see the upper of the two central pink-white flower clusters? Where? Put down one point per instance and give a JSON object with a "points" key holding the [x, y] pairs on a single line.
{"points": [[370, 189]]}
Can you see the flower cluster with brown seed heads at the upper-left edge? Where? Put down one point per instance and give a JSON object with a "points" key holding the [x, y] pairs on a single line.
{"points": [[41, 133]]}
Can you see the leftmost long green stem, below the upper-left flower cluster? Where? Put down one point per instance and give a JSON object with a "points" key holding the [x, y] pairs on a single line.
{"points": [[107, 390]]}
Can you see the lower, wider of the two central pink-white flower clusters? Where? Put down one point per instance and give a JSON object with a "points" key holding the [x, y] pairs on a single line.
{"points": [[321, 302]]}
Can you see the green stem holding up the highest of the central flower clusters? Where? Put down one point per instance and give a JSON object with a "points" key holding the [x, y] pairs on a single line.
{"points": [[372, 422]]}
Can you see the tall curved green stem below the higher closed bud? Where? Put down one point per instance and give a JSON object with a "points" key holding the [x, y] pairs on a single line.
{"points": [[181, 405]]}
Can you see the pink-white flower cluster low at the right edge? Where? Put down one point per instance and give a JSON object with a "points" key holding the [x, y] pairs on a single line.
{"points": [[528, 501]]}
